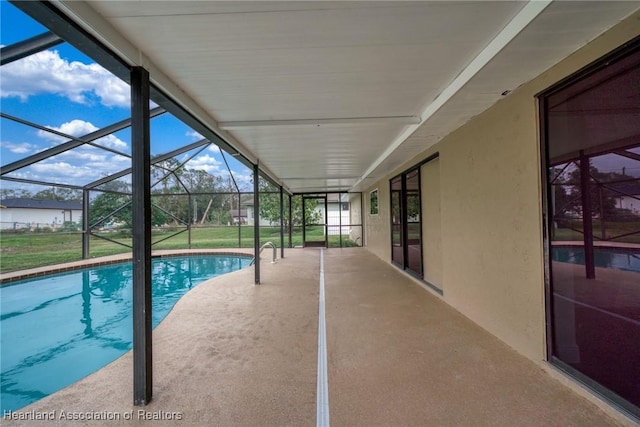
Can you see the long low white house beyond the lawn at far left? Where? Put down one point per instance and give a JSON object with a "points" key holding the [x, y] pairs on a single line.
{"points": [[28, 213]]}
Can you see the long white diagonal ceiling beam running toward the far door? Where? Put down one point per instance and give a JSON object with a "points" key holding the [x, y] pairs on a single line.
{"points": [[526, 15]]}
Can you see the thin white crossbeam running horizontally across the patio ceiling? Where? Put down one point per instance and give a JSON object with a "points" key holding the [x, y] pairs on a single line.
{"points": [[400, 120]]}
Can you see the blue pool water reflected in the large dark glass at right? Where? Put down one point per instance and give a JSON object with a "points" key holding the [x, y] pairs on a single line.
{"points": [[607, 258]]}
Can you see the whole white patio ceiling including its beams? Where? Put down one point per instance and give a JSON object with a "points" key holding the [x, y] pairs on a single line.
{"points": [[331, 96]]}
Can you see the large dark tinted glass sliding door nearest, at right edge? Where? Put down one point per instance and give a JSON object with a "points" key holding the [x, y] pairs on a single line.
{"points": [[591, 124]]}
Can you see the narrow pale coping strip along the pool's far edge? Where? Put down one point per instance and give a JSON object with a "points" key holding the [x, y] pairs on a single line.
{"points": [[30, 273]]}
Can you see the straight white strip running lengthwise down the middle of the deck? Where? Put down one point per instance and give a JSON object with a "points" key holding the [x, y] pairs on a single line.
{"points": [[322, 392]]}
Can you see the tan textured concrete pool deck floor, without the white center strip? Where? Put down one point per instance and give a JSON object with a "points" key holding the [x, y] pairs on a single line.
{"points": [[234, 354]]}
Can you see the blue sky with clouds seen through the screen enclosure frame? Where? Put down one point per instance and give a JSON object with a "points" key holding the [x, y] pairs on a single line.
{"points": [[63, 89]]}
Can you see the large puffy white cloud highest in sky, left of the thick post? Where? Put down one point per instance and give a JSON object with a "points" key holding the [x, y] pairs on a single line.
{"points": [[46, 72]]}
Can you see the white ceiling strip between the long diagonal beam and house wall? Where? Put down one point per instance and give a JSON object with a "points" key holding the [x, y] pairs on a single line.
{"points": [[543, 44]]}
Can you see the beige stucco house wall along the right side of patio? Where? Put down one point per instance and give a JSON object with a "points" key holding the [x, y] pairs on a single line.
{"points": [[490, 201]]}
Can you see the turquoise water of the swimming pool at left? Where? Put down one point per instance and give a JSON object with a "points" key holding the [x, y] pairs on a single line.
{"points": [[59, 328]]}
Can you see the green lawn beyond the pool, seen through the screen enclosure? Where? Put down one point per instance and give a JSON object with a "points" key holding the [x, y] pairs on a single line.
{"points": [[20, 251]]}
